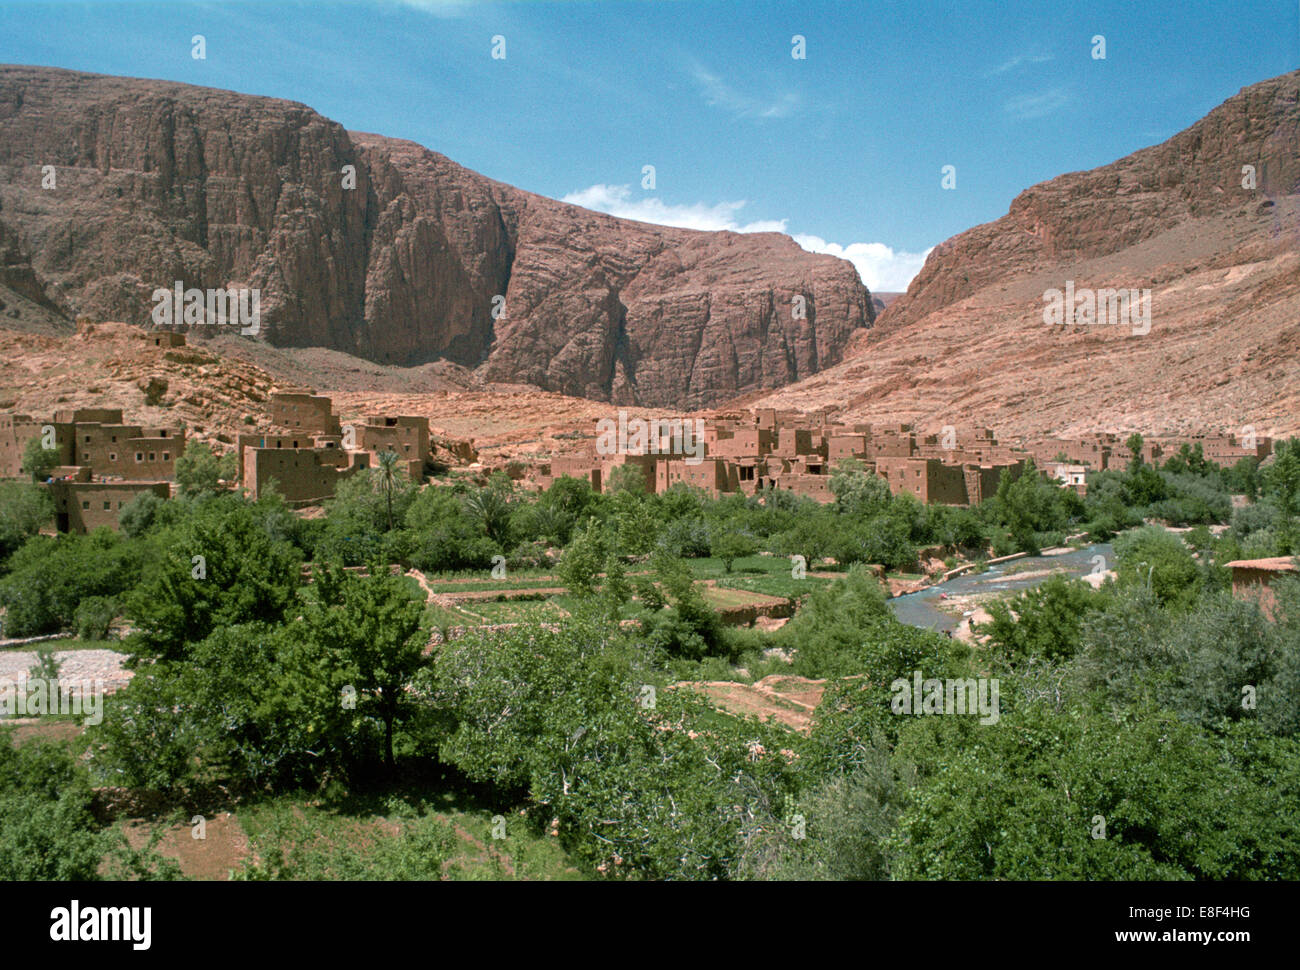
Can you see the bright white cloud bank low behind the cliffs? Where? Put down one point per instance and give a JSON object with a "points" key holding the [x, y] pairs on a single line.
{"points": [[881, 267]]}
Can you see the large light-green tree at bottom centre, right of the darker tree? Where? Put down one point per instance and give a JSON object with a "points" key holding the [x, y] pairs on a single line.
{"points": [[569, 720]]}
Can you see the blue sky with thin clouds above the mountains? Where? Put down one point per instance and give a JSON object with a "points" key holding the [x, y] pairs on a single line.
{"points": [[843, 149]]}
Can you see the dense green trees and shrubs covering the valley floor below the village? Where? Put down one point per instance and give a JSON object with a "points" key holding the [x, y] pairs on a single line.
{"points": [[1146, 730]]}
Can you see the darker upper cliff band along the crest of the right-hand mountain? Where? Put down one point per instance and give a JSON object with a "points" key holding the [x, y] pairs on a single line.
{"points": [[1084, 215]]}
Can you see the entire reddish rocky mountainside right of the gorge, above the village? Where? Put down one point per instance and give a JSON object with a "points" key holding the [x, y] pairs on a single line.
{"points": [[969, 345]]}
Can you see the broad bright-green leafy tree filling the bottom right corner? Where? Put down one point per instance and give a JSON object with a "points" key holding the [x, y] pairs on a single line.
{"points": [[1081, 795]]}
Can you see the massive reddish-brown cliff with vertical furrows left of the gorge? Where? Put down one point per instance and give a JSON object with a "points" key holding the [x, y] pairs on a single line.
{"points": [[158, 183]]}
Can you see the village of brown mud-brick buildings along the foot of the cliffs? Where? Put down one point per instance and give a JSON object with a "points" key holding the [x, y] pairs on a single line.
{"points": [[306, 449]]}
